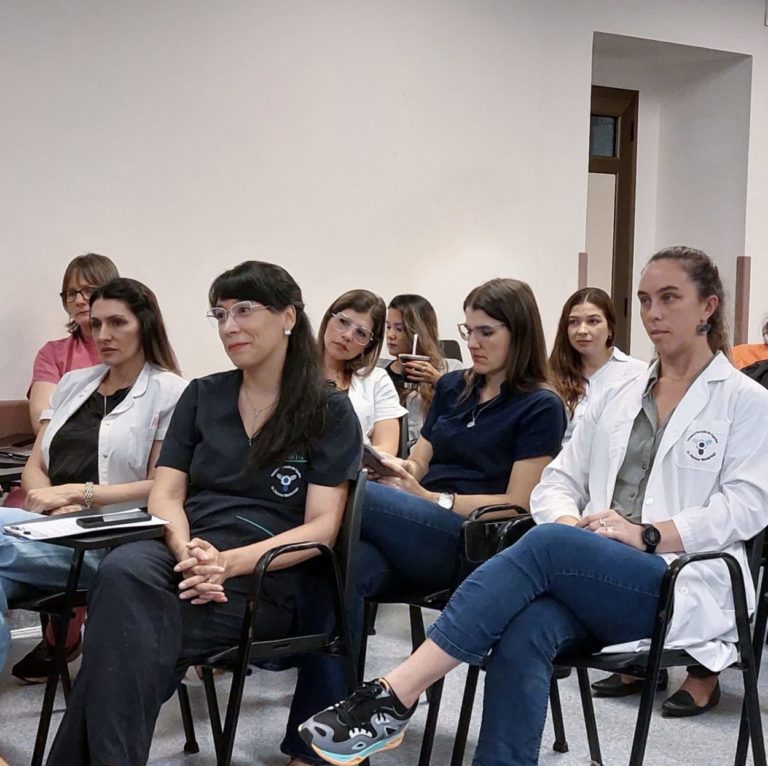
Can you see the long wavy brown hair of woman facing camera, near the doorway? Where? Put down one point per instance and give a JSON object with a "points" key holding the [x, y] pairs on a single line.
{"points": [[565, 362]]}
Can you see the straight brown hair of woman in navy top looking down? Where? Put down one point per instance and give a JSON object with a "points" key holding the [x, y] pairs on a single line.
{"points": [[512, 302]]}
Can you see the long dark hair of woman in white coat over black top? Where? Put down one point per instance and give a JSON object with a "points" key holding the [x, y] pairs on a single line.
{"points": [[143, 303]]}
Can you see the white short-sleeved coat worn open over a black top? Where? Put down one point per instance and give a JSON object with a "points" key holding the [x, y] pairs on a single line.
{"points": [[127, 433]]}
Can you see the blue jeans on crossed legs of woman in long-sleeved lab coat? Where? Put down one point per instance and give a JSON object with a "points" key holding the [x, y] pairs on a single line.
{"points": [[558, 589]]}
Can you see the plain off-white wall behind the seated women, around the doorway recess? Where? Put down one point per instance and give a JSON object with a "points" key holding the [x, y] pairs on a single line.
{"points": [[419, 145]]}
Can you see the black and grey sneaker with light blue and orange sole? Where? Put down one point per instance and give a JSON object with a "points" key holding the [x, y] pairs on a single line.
{"points": [[371, 720]]}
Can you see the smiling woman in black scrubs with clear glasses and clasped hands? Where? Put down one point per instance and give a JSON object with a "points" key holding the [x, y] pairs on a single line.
{"points": [[255, 457]]}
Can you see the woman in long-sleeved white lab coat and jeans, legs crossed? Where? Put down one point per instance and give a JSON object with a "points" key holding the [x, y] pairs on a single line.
{"points": [[675, 464]]}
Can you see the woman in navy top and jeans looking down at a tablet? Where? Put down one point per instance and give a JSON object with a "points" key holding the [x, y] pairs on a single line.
{"points": [[489, 433]]}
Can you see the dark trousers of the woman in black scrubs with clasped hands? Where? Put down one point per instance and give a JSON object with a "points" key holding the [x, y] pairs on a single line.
{"points": [[140, 637]]}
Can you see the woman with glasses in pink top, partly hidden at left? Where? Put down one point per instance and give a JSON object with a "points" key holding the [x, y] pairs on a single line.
{"points": [[77, 350]]}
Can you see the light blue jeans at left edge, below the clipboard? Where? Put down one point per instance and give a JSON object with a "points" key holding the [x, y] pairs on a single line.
{"points": [[29, 569]]}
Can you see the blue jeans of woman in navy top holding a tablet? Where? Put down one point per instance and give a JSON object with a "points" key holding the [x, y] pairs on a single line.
{"points": [[408, 545]]}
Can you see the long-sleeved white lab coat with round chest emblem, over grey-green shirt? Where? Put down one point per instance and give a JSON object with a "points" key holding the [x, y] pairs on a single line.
{"points": [[710, 476]]}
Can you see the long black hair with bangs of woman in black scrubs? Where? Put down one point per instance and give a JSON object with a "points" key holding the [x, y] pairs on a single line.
{"points": [[300, 411]]}
